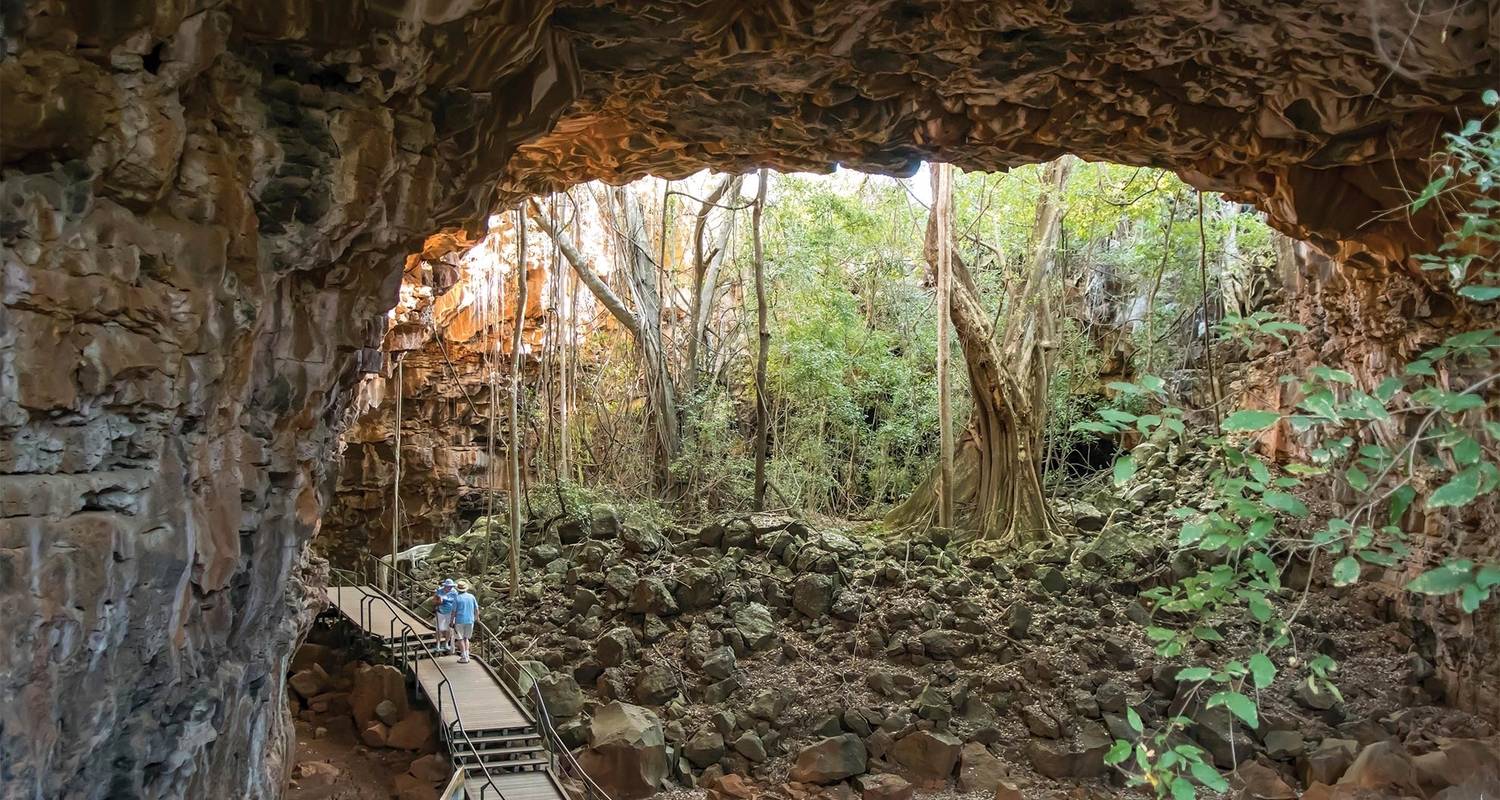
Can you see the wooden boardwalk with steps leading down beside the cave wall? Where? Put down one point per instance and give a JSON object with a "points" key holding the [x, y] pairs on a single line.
{"points": [[473, 703]]}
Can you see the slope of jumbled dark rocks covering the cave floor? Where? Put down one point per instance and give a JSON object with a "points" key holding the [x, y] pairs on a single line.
{"points": [[760, 654]]}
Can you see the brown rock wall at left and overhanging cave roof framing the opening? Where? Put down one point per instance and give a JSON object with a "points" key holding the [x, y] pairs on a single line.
{"points": [[206, 212]]}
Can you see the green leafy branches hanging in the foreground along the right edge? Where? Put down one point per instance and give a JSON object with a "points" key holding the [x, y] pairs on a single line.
{"points": [[1255, 526]]}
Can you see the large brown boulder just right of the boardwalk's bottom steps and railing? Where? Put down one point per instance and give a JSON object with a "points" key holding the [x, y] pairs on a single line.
{"points": [[626, 753]]}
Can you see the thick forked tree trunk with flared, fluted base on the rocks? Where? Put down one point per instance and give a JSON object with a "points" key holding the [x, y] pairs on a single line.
{"points": [[997, 483]]}
